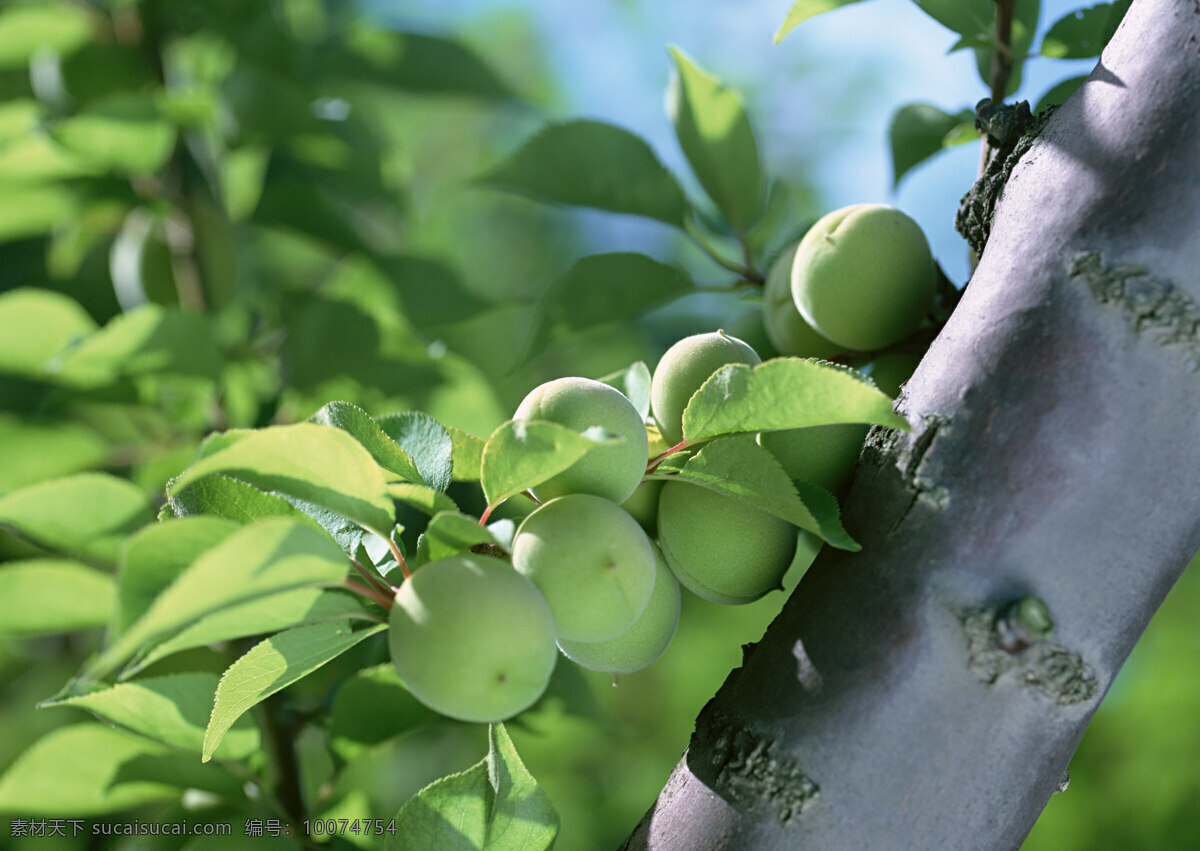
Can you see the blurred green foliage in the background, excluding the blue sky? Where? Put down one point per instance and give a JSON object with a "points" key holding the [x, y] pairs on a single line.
{"points": [[227, 214]]}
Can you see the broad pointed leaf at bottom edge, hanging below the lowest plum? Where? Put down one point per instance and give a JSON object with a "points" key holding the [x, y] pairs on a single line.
{"points": [[495, 806]]}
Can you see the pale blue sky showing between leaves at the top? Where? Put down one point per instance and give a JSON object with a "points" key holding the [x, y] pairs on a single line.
{"points": [[824, 97]]}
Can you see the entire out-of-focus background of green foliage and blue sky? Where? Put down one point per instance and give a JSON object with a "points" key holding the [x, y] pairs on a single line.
{"points": [[338, 245]]}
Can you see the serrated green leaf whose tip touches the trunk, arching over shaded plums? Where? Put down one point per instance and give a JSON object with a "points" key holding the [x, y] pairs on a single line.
{"points": [[784, 393]]}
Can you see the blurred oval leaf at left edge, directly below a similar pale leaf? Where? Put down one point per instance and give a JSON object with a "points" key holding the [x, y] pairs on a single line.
{"points": [[53, 596]]}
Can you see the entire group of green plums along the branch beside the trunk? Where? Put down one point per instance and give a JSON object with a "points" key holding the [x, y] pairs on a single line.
{"points": [[477, 638]]}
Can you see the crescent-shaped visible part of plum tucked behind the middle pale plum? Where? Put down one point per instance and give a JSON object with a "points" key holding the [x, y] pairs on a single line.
{"points": [[641, 644]]}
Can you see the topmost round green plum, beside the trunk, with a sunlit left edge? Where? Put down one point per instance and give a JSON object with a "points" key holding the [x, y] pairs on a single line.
{"points": [[863, 277]]}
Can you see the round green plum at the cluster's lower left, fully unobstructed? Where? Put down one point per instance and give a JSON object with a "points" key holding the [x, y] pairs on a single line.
{"points": [[472, 639]]}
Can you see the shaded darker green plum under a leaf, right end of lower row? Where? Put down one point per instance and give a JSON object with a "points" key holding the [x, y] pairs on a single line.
{"points": [[719, 548]]}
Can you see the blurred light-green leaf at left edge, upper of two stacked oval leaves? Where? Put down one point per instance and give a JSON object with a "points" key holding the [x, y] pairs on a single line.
{"points": [[86, 516]]}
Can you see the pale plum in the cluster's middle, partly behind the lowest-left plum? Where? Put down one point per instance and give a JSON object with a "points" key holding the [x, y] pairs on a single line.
{"points": [[592, 562]]}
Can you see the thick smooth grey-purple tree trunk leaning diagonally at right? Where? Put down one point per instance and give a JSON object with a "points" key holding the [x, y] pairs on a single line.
{"points": [[902, 700]]}
